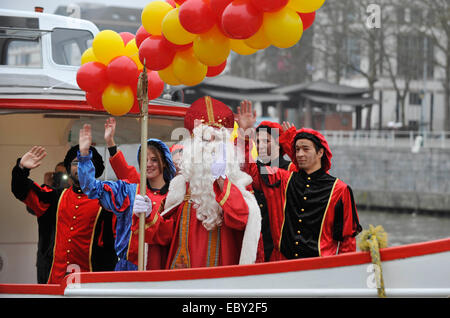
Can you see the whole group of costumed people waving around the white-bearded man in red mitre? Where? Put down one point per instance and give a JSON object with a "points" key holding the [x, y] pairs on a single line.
{"points": [[215, 204]]}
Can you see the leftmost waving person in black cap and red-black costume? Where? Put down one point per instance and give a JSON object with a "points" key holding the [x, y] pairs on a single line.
{"points": [[82, 234]]}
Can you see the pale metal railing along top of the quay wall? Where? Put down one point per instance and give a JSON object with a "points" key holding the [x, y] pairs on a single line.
{"points": [[389, 138]]}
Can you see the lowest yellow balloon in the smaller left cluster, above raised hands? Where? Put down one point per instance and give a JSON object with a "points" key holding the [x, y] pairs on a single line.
{"points": [[117, 99]]}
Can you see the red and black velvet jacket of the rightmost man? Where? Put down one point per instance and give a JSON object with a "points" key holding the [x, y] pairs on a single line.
{"points": [[310, 215]]}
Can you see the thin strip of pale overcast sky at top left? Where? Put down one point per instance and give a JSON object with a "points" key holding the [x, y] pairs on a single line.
{"points": [[51, 5]]}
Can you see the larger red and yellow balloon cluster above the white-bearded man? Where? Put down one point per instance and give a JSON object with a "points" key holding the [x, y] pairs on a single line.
{"points": [[188, 40]]}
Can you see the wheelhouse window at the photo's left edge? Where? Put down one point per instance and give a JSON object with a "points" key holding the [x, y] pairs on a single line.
{"points": [[21, 52]]}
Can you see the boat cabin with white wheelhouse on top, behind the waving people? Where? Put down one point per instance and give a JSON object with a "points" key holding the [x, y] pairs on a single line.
{"points": [[41, 104]]}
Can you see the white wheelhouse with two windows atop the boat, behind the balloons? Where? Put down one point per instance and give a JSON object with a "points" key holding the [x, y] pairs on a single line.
{"points": [[43, 44]]}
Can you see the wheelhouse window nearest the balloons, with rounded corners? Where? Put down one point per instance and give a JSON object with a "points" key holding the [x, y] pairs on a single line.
{"points": [[68, 45]]}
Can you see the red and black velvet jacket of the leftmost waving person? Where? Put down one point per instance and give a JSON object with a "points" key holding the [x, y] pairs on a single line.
{"points": [[82, 232]]}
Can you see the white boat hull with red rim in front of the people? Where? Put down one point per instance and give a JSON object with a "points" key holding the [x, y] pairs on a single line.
{"points": [[415, 270]]}
